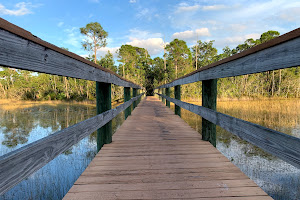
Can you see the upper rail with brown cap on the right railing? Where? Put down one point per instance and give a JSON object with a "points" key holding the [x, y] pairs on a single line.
{"points": [[281, 52]]}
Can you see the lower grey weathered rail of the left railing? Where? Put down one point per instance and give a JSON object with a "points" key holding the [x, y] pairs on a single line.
{"points": [[19, 164]]}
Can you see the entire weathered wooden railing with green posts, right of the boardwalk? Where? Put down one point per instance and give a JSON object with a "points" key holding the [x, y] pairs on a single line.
{"points": [[279, 53]]}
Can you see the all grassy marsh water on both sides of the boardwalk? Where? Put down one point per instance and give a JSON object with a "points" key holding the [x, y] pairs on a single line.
{"points": [[21, 126]]}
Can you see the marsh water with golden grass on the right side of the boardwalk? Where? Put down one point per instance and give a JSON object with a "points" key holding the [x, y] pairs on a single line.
{"points": [[277, 178]]}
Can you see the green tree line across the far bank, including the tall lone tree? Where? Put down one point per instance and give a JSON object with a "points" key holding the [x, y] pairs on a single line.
{"points": [[135, 64]]}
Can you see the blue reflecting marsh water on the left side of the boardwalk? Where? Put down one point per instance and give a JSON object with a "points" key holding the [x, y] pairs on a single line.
{"points": [[22, 126]]}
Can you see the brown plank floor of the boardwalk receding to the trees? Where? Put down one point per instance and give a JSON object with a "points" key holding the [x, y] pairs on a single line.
{"points": [[156, 155]]}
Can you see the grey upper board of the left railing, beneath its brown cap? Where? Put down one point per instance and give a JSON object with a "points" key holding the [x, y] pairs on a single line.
{"points": [[21, 53]]}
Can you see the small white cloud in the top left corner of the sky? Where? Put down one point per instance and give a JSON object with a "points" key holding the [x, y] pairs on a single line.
{"points": [[21, 8]]}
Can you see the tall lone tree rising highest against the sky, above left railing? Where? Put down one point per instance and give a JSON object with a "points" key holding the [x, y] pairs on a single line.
{"points": [[96, 37]]}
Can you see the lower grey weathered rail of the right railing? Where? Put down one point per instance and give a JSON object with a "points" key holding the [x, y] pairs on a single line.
{"points": [[281, 145]]}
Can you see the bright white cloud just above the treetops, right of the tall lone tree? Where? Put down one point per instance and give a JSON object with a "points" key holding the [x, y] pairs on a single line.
{"points": [[154, 45]]}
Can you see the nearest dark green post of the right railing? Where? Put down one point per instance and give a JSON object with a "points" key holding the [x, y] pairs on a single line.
{"points": [[209, 100]]}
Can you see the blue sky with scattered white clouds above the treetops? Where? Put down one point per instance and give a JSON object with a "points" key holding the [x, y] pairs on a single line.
{"points": [[145, 23]]}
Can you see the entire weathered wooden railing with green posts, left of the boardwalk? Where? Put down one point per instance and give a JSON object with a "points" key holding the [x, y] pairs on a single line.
{"points": [[20, 49]]}
